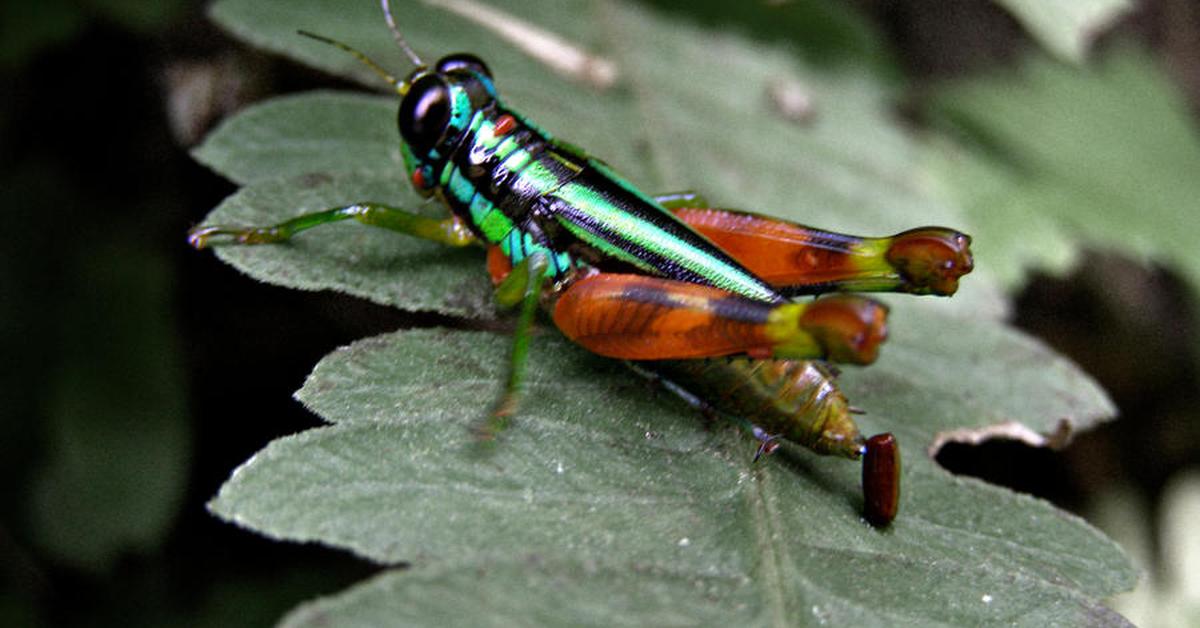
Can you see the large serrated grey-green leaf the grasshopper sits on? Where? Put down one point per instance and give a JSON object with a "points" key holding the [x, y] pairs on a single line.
{"points": [[597, 475]]}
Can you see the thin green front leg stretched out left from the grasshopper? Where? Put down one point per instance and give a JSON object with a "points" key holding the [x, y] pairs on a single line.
{"points": [[451, 231]]}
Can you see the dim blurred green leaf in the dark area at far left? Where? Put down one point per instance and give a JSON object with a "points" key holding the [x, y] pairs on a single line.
{"points": [[118, 439]]}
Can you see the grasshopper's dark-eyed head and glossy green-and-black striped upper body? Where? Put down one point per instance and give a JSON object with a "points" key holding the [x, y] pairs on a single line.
{"points": [[520, 189]]}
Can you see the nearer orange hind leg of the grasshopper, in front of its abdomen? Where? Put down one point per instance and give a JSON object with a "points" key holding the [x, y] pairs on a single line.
{"points": [[639, 318]]}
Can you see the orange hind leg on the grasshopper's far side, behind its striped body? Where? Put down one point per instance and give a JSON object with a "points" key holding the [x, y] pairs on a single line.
{"points": [[801, 260]]}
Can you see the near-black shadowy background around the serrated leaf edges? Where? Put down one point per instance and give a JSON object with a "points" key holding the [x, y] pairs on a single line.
{"points": [[130, 361]]}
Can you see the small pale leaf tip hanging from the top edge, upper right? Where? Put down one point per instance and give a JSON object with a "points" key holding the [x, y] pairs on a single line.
{"points": [[1066, 29]]}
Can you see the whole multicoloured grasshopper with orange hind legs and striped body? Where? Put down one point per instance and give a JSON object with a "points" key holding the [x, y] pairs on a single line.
{"points": [[700, 300]]}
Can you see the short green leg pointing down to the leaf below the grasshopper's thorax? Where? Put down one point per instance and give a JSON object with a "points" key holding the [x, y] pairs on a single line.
{"points": [[521, 286]]}
